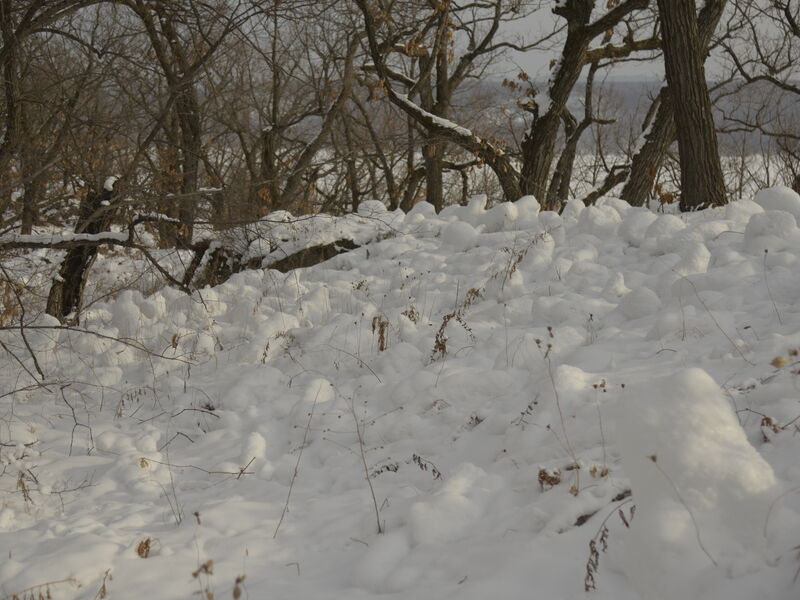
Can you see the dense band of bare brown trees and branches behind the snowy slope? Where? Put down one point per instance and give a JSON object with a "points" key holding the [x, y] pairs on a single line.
{"points": [[213, 113]]}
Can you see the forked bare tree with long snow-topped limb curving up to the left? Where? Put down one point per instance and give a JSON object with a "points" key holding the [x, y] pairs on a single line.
{"points": [[548, 110]]}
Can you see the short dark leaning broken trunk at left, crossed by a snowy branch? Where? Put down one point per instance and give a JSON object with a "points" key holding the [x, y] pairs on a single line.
{"points": [[66, 292]]}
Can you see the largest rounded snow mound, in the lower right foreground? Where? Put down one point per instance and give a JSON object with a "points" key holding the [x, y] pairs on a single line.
{"points": [[702, 492]]}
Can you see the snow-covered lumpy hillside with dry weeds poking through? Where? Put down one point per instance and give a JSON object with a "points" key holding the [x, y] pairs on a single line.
{"points": [[483, 386]]}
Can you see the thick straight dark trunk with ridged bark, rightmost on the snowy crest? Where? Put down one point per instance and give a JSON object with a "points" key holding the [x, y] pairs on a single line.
{"points": [[702, 183]]}
